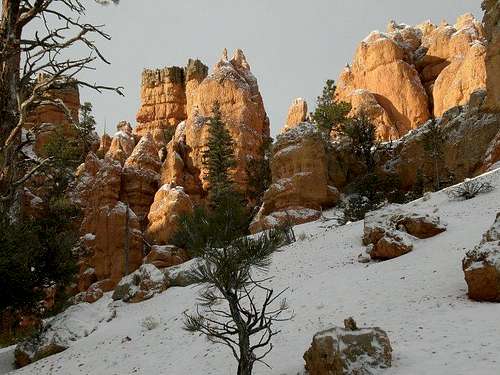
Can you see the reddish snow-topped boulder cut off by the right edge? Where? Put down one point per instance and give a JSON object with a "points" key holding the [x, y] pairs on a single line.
{"points": [[481, 266]]}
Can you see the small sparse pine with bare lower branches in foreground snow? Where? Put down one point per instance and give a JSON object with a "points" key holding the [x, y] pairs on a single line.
{"points": [[229, 312]]}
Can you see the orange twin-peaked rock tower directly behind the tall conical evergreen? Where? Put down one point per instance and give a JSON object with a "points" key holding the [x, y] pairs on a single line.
{"points": [[233, 85]]}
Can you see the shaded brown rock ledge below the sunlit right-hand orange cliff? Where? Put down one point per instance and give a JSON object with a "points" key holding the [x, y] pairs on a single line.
{"points": [[467, 135]]}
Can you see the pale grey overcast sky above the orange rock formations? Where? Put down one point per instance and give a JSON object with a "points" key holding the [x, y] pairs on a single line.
{"points": [[292, 46]]}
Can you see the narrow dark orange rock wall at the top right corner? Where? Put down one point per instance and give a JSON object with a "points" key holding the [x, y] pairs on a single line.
{"points": [[491, 22]]}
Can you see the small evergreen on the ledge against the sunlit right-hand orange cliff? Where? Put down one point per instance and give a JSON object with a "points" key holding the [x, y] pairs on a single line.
{"points": [[329, 113]]}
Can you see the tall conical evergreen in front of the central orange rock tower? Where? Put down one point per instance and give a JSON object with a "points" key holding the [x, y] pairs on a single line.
{"points": [[218, 158]]}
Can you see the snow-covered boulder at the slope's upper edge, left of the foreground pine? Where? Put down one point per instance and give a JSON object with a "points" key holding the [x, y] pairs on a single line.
{"points": [[141, 284]]}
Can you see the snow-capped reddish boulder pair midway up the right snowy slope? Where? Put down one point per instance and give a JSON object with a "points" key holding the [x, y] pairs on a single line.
{"points": [[391, 231]]}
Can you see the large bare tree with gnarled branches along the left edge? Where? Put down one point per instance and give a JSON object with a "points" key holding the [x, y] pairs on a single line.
{"points": [[37, 57]]}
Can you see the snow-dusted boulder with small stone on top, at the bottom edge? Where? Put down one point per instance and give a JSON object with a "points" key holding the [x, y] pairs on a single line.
{"points": [[349, 350]]}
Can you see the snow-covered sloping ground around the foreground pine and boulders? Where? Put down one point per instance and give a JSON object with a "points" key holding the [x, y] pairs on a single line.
{"points": [[419, 299]]}
